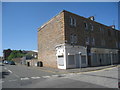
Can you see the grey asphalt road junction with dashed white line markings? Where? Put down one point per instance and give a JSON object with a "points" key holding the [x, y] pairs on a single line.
{"points": [[17, 76]]}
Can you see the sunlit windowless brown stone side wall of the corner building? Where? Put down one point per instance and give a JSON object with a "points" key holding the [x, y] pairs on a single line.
{"points": [[50, 35]]}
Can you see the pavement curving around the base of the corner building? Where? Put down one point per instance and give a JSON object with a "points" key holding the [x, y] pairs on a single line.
{"points": [[76, 70]]}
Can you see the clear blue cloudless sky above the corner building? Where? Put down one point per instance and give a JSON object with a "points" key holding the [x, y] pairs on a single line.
{"points": [[20, 20]]}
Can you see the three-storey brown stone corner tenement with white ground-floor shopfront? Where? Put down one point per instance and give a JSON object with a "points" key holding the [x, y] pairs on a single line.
{"points": [[72, 41]]}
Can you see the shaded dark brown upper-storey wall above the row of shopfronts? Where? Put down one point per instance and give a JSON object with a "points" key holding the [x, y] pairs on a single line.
{"points": [[100, 32]]}
